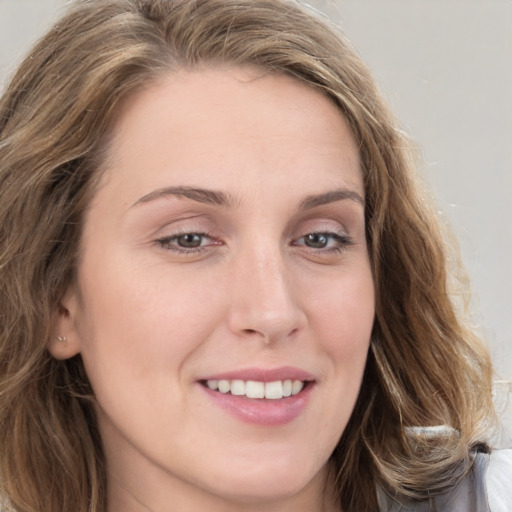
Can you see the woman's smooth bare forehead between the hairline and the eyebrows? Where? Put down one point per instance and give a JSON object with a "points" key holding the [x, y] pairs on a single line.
{"points": [[240, 121]]}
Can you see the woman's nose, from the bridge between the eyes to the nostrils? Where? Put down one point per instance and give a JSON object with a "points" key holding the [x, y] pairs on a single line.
{"points": [[265, 301]]}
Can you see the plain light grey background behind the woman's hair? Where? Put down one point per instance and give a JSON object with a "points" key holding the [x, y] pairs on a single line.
{"points": [[445, 66]]}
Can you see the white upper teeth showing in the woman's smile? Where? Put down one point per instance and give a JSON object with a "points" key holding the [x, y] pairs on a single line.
{"points": [[254, 389]]}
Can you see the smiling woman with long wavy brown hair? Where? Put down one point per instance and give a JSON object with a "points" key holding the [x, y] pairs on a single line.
{"points": [[222, 286]]}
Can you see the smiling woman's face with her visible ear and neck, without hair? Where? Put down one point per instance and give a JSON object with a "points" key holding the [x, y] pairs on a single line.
{"points": [[223, 259]]}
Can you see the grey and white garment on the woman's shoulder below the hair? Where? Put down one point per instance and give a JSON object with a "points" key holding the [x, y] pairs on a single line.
{"points": [[473, 494]]}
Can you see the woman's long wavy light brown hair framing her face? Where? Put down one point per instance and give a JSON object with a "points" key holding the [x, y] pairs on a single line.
{"points": [[424, 367]]}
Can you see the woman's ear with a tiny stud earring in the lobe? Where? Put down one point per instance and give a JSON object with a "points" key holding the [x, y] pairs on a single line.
{"points": [[65, 341]]}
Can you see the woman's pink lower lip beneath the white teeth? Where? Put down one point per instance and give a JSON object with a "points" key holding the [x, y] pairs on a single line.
{"points": [[260, 411]]}
